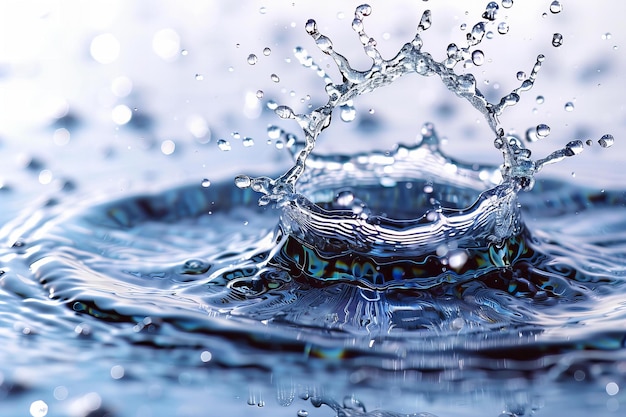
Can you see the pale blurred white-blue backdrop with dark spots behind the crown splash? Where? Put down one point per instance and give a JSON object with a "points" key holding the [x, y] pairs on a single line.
{"points": [[118, 96]]}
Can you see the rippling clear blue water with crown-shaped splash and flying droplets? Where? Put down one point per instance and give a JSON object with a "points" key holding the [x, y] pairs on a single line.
{"points": [[369, 283]]}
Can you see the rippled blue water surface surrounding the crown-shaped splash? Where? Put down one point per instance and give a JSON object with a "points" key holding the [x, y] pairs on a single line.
{"points": [[165, 295]]}
